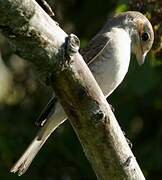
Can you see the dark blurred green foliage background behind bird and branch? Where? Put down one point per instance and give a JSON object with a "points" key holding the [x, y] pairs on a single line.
{"points": [[137, 101]]}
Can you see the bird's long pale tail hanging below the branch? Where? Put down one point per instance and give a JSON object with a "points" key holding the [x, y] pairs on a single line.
{"points": [[26, 159]]}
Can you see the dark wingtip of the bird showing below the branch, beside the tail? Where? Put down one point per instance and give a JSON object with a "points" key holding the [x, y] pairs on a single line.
{"points": [[47, 112]]}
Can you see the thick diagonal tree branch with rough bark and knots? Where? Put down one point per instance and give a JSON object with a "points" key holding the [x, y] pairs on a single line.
{"points": [[37, 38]]}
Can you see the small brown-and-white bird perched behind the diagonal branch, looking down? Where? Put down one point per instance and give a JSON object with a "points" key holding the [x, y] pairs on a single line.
{"points": [[108, 56]]}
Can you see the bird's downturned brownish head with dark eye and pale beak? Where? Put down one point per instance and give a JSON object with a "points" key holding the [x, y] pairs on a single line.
{"points": [[142, 35]]}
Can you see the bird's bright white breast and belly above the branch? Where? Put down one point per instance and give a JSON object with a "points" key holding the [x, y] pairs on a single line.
{"points": [[110, 68]]}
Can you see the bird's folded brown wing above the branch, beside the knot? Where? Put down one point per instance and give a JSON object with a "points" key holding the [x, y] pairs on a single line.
{"points": [[95, 47]]}
